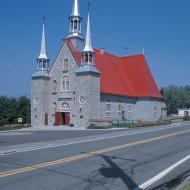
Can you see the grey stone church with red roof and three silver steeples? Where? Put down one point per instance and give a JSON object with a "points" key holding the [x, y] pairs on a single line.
{"points": [[86, 85]]}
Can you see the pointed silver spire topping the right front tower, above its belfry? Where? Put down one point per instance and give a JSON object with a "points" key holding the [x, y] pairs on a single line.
{"points": [[88, 43]]}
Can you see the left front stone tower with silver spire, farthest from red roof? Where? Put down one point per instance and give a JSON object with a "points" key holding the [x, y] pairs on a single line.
{"points": [[40, 87]]}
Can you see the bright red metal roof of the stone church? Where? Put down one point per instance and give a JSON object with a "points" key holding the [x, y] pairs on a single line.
{"points": [[126, 76]]}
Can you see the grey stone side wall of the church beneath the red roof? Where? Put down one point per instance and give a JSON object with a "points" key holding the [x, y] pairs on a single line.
{"points": [[134, 109]]}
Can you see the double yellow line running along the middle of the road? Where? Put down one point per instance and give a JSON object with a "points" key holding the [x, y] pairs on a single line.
{"points": [[85, 155]]}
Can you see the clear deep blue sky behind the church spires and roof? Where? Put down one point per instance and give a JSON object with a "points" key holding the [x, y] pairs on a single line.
{"points": [[162, 27]]}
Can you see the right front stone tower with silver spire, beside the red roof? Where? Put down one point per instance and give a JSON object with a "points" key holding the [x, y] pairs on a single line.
{"points": [[89, 80]]}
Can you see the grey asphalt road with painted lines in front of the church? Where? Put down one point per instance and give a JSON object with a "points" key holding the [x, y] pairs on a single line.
{"points": [[118, 160]]}
